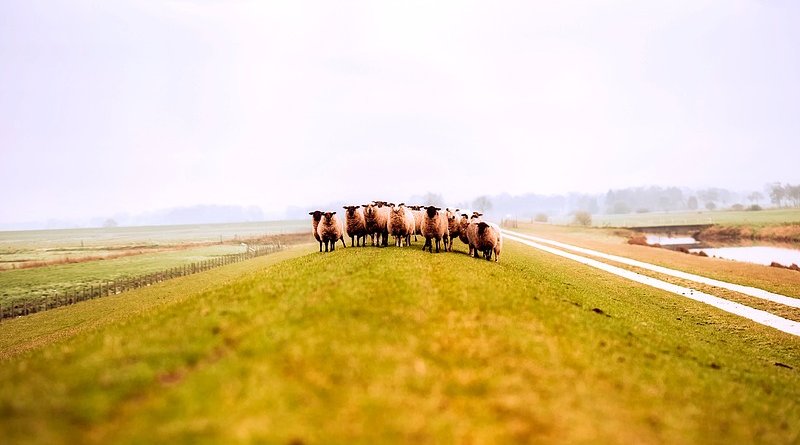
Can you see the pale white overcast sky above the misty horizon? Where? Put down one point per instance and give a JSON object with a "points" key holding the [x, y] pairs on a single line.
{"points": [[132, 106]]}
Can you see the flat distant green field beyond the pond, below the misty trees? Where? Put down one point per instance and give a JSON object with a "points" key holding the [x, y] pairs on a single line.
{"points": [[725, 217]]}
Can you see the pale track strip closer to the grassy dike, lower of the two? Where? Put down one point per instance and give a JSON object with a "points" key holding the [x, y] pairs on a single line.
{"points": [[756, 315]]}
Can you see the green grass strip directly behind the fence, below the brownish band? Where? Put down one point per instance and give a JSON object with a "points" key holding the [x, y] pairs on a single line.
{"points": [[30, 284]]}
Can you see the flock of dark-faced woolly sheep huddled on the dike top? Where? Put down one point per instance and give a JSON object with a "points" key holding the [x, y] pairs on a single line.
{"points": [[380, 219]]}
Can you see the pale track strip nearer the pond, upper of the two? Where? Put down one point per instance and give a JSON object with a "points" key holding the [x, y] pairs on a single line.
{"points": [[747, 290]]}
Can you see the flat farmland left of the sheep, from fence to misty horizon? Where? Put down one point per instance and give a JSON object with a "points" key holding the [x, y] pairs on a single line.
{"points": [[68, 260]]}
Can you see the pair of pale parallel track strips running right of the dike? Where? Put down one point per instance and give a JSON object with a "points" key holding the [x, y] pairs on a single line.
{"points": [[756, 315]]}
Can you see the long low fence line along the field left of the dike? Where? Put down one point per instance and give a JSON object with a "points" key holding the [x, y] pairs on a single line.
{"points": [[118, 286]]}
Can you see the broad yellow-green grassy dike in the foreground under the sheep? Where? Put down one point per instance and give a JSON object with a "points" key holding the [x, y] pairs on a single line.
{"points": [[400, 346]]}
